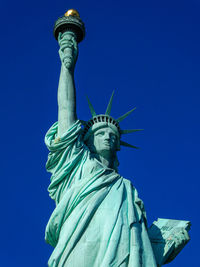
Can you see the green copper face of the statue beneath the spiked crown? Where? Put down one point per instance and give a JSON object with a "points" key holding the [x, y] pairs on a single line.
{"points": [[105, 140]]}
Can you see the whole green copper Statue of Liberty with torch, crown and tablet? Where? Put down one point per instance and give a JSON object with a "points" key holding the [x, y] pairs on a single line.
{"points": [[98, 219]]}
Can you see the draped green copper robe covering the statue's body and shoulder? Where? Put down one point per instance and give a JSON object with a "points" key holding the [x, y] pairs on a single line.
{"points": [[99, 221]]}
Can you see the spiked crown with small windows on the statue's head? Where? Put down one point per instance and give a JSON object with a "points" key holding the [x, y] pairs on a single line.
{"points": [[102, 120]]}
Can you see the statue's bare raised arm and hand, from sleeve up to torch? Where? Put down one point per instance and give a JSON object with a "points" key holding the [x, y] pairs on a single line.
{"points": [[66, 90]]}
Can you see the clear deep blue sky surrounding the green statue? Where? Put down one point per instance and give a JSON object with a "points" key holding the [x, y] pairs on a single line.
{"points": [[148, 52]]}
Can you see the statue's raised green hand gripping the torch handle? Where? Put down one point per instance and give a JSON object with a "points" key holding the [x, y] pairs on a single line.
{"points": [[68, 50]]}
